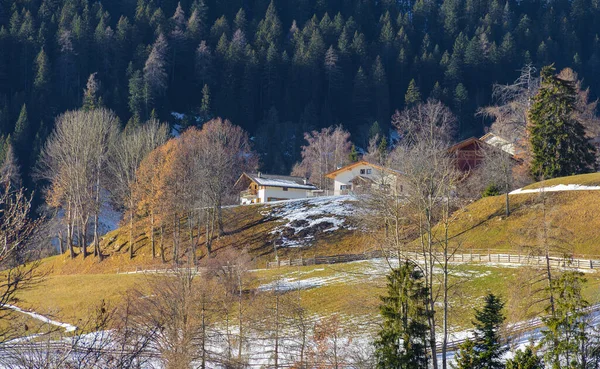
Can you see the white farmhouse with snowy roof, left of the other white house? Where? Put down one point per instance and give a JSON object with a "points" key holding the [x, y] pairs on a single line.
{"points": [[261, 188]]}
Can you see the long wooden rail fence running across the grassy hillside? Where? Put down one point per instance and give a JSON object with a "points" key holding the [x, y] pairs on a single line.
{"points": [[474, 256]]}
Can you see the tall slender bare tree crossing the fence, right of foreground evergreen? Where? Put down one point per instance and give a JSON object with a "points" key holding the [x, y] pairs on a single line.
{"points": [[431, 176]]}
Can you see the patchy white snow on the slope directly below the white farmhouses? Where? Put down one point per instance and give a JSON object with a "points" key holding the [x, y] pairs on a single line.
{"points": [[302, 215]]}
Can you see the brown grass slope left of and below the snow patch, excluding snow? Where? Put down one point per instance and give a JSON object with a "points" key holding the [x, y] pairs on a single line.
{"points": [[247, 227]]}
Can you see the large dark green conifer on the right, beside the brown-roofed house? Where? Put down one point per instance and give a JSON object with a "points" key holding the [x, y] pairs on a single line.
{"points": [[558, 141]]}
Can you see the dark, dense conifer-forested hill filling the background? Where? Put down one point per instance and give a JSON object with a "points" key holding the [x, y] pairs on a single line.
{"points": [[277, 68]]}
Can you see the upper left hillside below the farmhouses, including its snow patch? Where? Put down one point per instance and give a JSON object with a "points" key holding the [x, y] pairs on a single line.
{"points": [[312, 227]]}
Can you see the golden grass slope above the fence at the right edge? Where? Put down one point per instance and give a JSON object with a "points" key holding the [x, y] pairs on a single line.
{"points": [[571, 218]]}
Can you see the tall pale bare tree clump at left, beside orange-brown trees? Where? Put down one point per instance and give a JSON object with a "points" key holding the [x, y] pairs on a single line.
{"points": [[74, 162]]}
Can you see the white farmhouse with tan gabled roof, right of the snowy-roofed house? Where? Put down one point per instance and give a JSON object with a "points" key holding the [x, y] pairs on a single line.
{"points": [[362, 176]]}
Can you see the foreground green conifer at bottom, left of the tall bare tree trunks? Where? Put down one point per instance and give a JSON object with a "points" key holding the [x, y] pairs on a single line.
{"points": [[402, 340]]}
